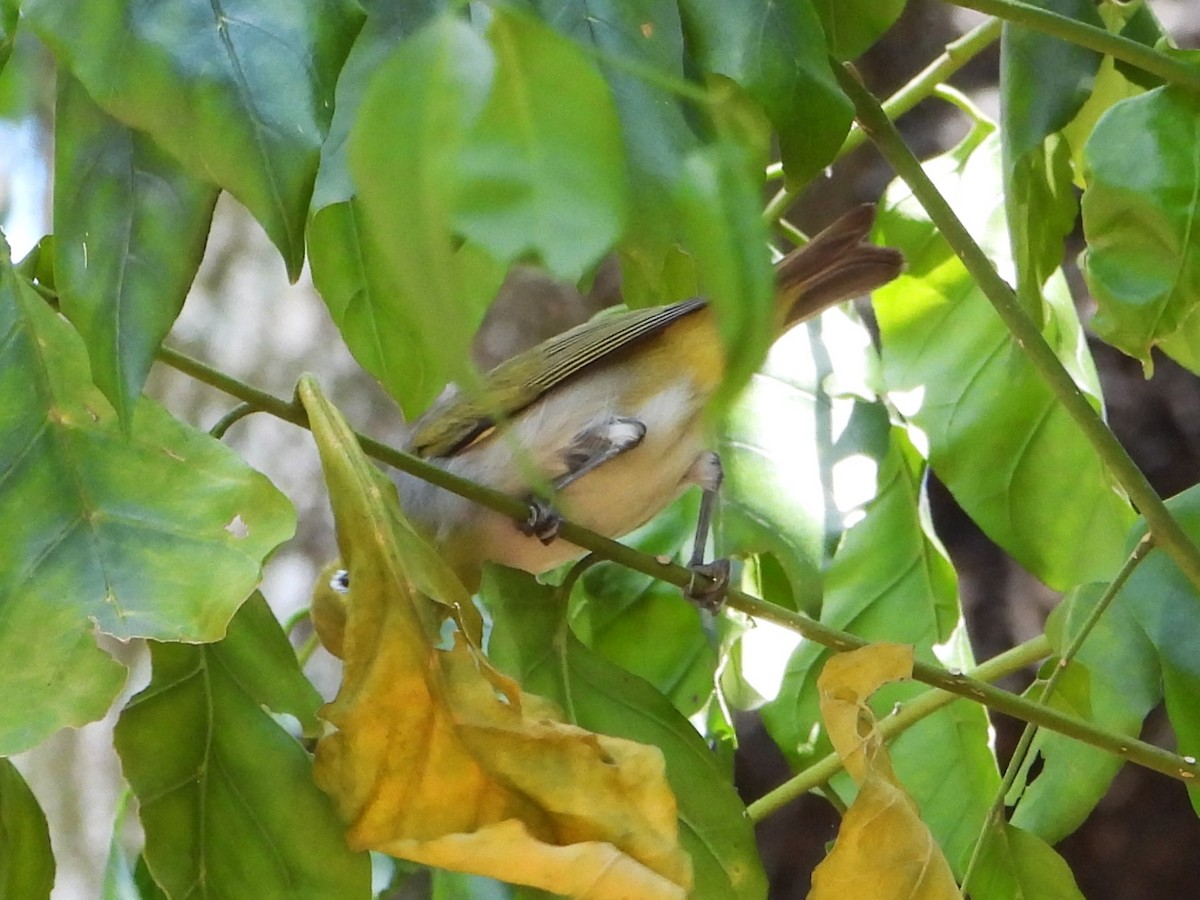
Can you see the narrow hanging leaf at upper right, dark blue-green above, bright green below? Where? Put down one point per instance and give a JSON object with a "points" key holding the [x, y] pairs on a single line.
{"points": [[1045, 82]]}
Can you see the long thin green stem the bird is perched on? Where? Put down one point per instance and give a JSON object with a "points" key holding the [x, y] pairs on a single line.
{"points": [[955, 682]]}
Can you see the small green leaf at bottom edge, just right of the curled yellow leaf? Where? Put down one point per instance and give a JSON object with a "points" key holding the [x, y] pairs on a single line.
{"points": [[1018, 865]]}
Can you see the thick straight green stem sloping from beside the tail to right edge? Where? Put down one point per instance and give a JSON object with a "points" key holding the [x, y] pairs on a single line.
{"points": [[1168, 533]]}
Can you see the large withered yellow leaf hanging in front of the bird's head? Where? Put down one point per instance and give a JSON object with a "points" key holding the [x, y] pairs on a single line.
{"points": [[436, 757]]}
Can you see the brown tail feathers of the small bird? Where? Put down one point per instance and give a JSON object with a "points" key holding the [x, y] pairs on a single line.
{"points": [[836, 266]]}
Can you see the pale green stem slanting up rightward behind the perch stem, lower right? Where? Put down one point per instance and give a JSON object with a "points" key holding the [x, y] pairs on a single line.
{"points": [[908, 716]]}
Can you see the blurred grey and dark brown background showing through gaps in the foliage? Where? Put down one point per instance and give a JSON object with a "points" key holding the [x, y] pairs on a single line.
{"points": [[245, 319]]}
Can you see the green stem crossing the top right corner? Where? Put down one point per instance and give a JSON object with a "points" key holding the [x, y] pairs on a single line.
{"points": [[1145, 58]]}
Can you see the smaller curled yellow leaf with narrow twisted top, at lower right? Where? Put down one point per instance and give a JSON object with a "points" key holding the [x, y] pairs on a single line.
{"points": [[884, 850]]}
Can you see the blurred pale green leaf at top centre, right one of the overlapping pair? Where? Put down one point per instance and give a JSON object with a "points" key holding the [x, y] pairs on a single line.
{"points": [[543, 171]]}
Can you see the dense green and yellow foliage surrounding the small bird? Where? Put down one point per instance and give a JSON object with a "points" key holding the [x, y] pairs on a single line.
{"points": [[415, 152]]}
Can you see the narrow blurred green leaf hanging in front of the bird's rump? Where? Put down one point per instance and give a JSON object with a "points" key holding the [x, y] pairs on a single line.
{"points": [[725, 233]]}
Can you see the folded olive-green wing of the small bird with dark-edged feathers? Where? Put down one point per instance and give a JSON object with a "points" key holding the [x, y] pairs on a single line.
{"points": [[461, 417]]}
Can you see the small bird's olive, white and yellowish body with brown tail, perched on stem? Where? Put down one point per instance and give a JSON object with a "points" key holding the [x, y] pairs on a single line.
{"points": [[610, 416]]}
